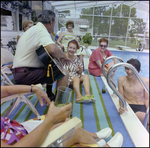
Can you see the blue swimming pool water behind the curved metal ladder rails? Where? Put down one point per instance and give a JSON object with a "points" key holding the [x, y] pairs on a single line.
{"points": [[125, 56]]}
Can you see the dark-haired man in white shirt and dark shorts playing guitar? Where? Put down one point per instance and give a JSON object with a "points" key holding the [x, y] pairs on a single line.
{"points": [[27, 67]]}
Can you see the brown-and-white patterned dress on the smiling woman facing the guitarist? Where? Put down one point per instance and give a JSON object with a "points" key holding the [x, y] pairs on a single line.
{"points": [[73, 69]]}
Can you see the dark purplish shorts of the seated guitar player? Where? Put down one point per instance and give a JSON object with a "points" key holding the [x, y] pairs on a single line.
{"points": [[30, 76]]}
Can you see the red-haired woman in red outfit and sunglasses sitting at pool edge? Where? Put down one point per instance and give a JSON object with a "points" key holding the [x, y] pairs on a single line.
{"points": [[97, 57]]}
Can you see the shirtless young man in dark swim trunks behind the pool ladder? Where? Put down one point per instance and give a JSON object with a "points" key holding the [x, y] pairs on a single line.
{"points": [[133, 92]]}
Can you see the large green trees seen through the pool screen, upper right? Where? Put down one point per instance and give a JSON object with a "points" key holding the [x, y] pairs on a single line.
{"points": [[118, 25]]}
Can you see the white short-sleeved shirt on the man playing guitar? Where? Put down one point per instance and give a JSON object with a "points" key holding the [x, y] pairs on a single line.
{"points": [[34, 37]]}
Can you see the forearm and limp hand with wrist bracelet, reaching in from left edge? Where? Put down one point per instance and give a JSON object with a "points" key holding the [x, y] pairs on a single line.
{"points": [[17, 89]]}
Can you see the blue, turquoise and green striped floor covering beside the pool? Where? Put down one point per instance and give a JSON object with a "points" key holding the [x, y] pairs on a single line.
{"points": [[94, 117]]}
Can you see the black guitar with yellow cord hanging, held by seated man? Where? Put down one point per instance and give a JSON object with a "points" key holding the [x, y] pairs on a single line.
{"points": [[54, 67]]}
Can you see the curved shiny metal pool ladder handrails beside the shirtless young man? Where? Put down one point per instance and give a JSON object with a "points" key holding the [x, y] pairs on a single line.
{"points": [[107, 76]]}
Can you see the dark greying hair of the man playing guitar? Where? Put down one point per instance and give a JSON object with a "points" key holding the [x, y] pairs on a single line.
{"points": [[46, 16]]}
